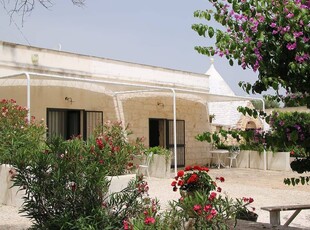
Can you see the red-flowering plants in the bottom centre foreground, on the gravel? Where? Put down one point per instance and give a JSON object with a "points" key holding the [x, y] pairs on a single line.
{"points": [[202, 201]]}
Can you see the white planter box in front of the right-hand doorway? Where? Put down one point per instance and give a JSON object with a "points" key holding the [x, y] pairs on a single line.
{"points": [[160, 167]]}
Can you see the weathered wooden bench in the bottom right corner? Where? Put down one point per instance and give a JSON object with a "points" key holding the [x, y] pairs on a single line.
{"points": [[274, 212]]}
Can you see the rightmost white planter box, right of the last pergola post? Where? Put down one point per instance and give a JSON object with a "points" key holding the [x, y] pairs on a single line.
{"points": [[279, 161]]}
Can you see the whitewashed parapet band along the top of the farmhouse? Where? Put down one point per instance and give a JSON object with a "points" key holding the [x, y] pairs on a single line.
{"points": [[16, 58]]}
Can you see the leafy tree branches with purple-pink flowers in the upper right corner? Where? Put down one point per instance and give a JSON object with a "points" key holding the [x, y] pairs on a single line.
{"points": [[270, 37]]}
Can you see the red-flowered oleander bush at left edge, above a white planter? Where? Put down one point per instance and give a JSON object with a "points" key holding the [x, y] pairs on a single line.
{"points": [[18, 136]]}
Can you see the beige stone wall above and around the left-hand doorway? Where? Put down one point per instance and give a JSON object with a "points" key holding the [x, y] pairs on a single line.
{"points": [[54, 97]]}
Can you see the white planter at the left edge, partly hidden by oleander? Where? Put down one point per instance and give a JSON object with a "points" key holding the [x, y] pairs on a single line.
{"points": [[9, 195]]}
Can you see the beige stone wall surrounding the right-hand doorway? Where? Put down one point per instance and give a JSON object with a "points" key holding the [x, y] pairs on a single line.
{"points": [[139, 110]]}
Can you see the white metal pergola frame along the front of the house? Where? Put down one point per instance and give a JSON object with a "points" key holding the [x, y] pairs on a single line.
{"points": [[145, 88]]}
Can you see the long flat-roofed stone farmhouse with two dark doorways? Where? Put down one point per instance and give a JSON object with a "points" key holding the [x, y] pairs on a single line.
{"points": [[74, 93]]}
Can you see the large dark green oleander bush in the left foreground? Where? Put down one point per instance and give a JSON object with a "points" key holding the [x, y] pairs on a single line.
{"points": [[66, 187]]}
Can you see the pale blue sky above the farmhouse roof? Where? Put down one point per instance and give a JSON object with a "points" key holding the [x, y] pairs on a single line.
{"points": [[156, 33]]}
